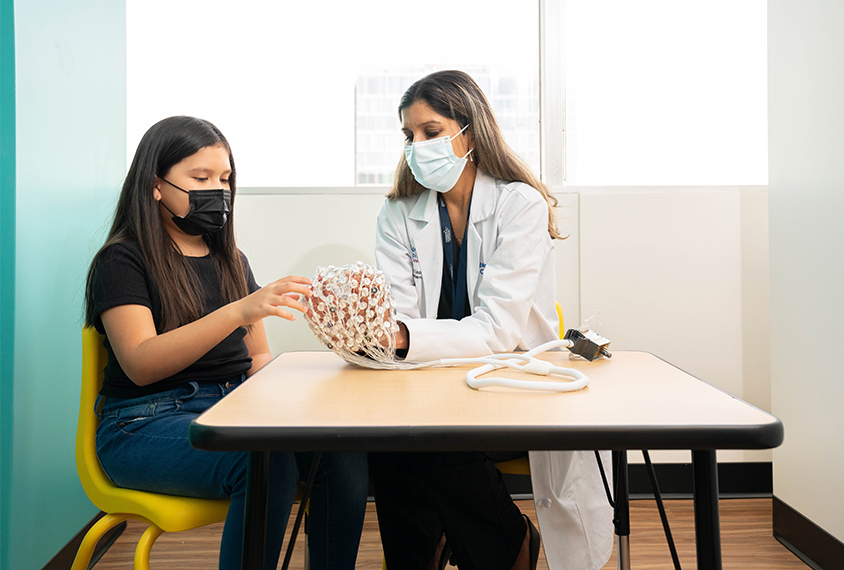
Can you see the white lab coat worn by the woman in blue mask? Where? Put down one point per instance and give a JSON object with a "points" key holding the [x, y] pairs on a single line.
{"points": [[511, 287]]}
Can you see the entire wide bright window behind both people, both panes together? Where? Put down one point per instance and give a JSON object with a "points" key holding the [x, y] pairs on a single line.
{"points": [[657, 92]]}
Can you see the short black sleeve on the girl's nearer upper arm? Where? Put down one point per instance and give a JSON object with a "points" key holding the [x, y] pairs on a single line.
{"points": [[120, 278]]}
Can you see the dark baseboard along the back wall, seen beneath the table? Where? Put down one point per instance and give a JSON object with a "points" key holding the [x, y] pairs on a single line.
{"points": [[735, 480]]}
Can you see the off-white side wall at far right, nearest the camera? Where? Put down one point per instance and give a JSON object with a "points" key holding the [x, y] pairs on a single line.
{"points": [[806, 122]]}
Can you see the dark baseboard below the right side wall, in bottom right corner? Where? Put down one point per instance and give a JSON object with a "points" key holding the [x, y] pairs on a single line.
{"points": [[809, 542]]}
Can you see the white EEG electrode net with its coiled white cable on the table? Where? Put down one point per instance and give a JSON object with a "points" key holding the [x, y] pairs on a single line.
{"points": [[351, 311]]}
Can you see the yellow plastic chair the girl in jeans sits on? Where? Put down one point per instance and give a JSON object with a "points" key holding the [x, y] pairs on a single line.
{"points": [[163, 513]]}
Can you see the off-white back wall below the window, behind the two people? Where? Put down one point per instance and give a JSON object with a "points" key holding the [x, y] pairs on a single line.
{"points": [[680, 272]]}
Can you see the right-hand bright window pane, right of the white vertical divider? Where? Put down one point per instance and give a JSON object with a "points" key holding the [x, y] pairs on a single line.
{"points": [[660, 92]]}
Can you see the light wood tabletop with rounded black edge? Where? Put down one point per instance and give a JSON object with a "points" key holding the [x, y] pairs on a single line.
{"points": [[315, 401]]}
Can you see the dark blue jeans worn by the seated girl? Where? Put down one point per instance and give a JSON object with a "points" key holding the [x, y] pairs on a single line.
{"points": [[143, 444]]}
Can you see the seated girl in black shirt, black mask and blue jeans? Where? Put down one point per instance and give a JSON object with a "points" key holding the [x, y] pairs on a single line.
{"points": [[183, 320]]}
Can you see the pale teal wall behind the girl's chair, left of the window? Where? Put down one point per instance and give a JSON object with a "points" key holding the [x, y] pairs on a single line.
{"points": [[71, 158]]}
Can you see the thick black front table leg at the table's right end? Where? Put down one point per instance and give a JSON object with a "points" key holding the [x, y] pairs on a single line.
{"points": [[707, 524]]}
